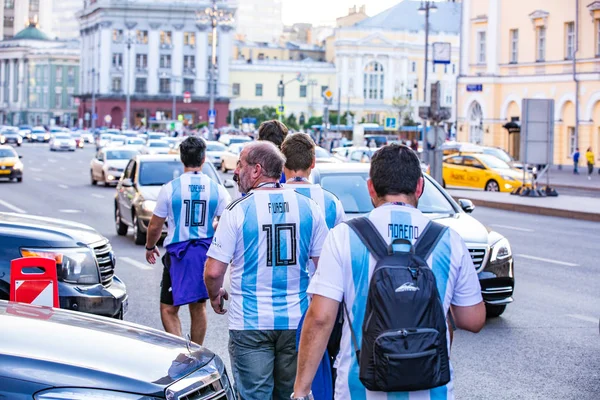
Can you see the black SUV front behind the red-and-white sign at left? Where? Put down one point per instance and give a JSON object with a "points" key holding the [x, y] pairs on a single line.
{"points": [[85, 262]]}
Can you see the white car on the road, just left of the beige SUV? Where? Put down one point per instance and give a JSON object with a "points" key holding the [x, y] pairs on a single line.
{"points": [[109, 163]]}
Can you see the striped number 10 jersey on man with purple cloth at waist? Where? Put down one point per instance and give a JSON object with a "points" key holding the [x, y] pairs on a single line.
{"points": [[190, 203]]}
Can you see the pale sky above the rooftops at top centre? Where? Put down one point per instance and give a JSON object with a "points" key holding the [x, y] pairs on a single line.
{"points": [[324, 12]]}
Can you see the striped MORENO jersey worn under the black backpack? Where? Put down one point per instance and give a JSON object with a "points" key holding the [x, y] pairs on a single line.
{"points": [[348, 271]]}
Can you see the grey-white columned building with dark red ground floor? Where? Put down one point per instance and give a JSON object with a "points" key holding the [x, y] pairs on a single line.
{"points": [[153, 50]]}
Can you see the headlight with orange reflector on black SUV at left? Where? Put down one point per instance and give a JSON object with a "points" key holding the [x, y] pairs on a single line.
{"points": [[73, 265]]}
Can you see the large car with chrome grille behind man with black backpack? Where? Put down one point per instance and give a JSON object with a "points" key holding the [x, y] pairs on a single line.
{"points": [[490, 251]]}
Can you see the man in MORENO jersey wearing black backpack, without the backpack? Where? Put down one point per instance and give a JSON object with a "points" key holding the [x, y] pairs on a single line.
{"points": [[395, 185]]}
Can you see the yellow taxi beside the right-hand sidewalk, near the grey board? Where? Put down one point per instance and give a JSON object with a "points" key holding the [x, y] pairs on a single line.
{"points": [[481, 171]]}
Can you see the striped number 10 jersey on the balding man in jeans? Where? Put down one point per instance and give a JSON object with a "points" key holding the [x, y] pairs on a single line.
{"points": [[269, 237]]}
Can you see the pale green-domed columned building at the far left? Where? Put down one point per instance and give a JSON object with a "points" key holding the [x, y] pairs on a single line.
{"points": [[39, 78]]}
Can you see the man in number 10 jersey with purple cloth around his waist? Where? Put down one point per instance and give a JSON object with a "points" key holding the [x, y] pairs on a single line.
{"points": [[189, 204]]}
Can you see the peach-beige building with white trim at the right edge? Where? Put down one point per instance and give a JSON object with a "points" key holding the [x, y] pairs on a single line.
{"points": [[513, 50]]}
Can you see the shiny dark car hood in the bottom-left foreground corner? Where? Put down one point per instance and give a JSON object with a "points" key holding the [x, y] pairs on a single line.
{"points": [[49, 354]]}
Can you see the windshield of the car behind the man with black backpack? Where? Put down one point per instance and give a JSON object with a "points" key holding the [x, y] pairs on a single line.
{"points": [[352, 191]]}
